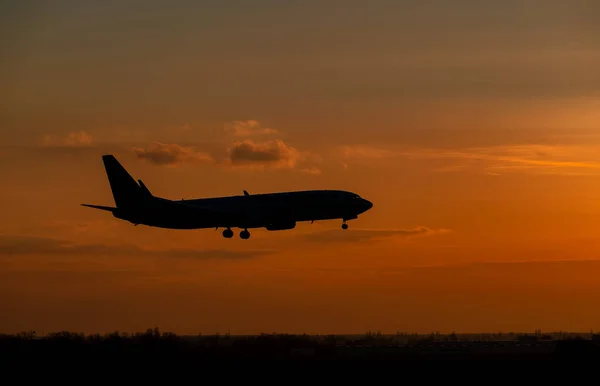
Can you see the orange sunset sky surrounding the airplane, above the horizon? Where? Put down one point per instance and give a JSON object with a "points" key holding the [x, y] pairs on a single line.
{"points": [[472, 125]]}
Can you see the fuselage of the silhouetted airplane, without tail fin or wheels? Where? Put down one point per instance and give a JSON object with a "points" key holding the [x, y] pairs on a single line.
{"points": [[273, 211]]}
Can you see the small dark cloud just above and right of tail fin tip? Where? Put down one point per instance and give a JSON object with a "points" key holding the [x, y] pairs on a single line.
{"points": [[163, 154]]}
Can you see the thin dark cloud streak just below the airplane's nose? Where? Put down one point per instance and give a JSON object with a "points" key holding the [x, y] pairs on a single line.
{"points": [[365, 235]]}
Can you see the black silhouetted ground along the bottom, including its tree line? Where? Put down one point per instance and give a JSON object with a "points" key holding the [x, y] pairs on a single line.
{"points": [[154, 357]]}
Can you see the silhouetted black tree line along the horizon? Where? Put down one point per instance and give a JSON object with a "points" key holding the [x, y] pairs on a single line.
{"points": [[165, 345]]}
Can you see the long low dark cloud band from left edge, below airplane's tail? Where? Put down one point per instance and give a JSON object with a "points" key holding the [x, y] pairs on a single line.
{"points": [[15, 245]]}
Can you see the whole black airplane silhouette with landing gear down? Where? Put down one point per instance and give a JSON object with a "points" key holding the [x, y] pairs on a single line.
{"points": [[273, 211]]}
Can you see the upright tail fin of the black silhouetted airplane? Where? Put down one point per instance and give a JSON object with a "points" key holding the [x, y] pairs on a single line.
{"points": [[126, 192]]}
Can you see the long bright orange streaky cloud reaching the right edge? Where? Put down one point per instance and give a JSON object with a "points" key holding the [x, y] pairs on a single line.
{"points": [[492, 160]]}
